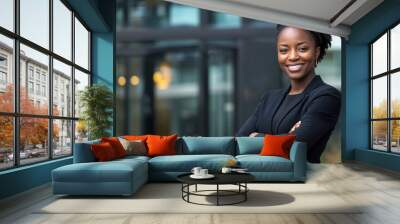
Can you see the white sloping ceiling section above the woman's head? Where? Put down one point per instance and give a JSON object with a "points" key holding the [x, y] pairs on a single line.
{"points": [[324, 16]]}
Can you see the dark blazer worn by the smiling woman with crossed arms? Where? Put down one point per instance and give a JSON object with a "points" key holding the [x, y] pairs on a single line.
{"points": [[318, 110]]}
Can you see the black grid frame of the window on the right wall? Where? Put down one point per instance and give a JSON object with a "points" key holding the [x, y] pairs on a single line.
{"points": [[388, 74]]}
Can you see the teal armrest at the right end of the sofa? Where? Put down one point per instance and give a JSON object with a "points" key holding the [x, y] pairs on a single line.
{"points": [[298, 155]]}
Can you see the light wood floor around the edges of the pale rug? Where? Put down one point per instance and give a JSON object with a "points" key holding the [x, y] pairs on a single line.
{"points": [[354, 182]]}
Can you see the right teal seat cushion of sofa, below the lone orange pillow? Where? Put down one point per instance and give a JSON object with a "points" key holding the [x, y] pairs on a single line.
{"points": [[257, 163]]}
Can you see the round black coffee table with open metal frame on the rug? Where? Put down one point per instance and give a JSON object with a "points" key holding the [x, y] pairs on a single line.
{"points": [[238, 179]]}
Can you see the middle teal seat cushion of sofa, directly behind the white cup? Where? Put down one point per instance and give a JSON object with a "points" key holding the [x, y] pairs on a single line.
{"points": [[185, 163]]}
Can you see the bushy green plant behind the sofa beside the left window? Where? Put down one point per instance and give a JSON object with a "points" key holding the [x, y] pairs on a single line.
{"points": [[96, 102]]}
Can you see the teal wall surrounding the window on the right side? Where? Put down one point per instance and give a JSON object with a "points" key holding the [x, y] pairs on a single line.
{"points": [[356, 83]]}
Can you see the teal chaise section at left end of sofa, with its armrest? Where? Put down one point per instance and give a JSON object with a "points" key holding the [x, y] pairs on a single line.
{"points": [[86, 177]]}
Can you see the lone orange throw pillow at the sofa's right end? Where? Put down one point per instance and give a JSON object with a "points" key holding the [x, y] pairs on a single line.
{"points": [[277, 145]]}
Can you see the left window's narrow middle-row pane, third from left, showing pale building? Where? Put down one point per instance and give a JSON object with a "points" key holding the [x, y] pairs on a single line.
{"points": [[62, 89]]}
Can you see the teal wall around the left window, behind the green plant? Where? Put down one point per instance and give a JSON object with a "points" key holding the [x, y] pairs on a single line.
{"points": [[99, 15]]}
